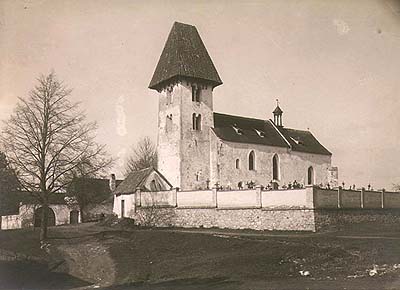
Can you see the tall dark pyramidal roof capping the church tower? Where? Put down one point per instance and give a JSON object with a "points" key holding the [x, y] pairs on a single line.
{"points": [[184, 55]]}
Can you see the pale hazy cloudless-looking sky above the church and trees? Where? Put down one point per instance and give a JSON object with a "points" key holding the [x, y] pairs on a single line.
{"points": [[334, 65]]}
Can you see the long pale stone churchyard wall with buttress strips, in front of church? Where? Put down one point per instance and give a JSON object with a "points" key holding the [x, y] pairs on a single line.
{"points": [[309, 209]]}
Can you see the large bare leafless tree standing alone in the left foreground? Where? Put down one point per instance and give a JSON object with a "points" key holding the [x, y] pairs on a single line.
{"points": [[47, 138]]}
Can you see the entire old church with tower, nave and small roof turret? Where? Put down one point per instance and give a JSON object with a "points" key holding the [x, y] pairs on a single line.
{"points": [[199, 148]]}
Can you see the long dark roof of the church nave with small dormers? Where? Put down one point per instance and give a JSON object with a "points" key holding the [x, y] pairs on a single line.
{"points": [[264, 132]]}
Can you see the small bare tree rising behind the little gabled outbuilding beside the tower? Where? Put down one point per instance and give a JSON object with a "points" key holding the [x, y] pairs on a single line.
{"points": [[144, 155]]}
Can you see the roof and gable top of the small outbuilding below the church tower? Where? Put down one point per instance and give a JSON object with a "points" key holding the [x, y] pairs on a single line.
{"points": [[139, 179]]}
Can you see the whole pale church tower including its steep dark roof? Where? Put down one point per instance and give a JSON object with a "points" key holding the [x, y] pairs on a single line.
{"points": [[185, 78]]}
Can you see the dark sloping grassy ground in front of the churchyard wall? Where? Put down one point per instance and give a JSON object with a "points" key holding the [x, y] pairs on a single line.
{"points": [[117, 258]]}
